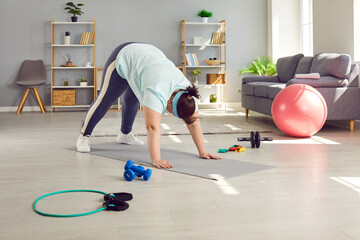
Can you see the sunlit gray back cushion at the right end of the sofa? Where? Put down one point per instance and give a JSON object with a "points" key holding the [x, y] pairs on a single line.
{"points": [[332, 64]]}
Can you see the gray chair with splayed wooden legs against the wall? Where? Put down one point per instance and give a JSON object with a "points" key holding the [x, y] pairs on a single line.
{"points": [[32, 75]]}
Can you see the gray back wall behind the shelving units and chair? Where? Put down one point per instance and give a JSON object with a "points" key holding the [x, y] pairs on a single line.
{"points": [[25, 33]]}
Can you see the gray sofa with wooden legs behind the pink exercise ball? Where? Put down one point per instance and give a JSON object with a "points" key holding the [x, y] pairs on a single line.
{"points": [[338, 84]]}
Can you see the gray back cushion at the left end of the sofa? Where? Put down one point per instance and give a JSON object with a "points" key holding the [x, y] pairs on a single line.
{"points": [[286, 67]]}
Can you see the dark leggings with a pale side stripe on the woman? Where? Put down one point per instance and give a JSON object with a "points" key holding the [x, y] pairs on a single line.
{"points": [[112, 87]]}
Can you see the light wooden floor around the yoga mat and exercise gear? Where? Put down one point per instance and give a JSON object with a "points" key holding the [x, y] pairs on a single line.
{"points": [[313, 193]]}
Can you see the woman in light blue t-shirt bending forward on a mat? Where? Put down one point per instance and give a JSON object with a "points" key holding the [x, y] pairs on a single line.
{"points": [[145, 76]]}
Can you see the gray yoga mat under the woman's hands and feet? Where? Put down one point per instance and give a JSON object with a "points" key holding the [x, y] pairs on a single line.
{"points": [[183, 162]]}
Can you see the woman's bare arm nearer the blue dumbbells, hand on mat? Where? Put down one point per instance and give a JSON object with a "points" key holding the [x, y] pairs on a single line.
{"points": [[152, 123]]}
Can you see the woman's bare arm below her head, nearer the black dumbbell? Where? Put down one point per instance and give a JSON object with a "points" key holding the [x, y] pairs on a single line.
{"points": [[198, 138]]}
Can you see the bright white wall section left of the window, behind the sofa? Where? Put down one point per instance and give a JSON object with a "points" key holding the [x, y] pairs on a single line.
{"points": [[284, 28]]}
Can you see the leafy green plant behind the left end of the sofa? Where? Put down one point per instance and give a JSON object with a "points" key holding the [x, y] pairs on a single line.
{"points": [[260, 66]]}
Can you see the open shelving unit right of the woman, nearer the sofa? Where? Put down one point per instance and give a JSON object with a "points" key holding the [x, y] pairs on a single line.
{"points": [[187, 46]]}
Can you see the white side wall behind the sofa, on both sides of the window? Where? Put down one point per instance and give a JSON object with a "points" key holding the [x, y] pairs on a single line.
{"points": [[336, 27]]}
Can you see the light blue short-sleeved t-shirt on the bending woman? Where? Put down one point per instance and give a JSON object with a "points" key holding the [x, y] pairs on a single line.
{"points": [[151, 76]]}
